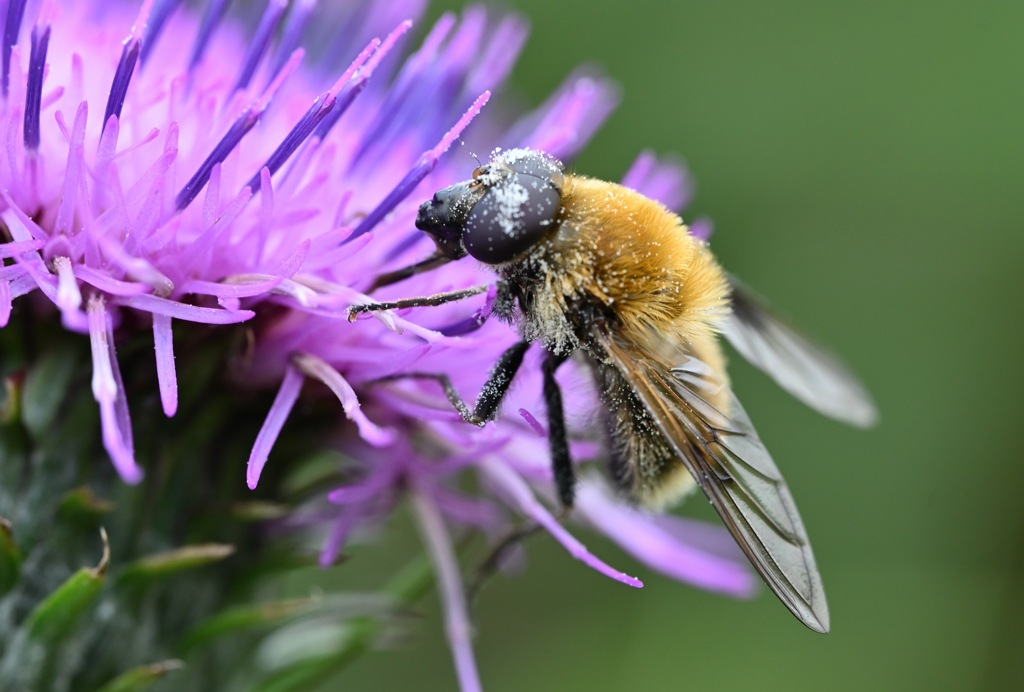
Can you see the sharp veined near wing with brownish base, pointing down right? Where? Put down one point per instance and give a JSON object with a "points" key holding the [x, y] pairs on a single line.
{"points": [[730, 463]]}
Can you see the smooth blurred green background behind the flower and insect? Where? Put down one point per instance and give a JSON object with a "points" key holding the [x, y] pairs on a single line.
{"points": [[862, 163]]}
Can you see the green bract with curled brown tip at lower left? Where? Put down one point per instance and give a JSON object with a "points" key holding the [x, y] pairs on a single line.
{"points": [[58, 615]]}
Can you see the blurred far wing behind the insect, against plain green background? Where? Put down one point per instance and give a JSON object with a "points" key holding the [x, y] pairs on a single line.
{"points": [[799, 366]]}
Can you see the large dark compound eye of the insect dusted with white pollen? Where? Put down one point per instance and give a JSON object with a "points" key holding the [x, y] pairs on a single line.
{"points": [[513, 217]]}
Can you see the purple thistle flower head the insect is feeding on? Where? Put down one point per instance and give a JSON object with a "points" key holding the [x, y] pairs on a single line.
{"points": [[230, 179]]}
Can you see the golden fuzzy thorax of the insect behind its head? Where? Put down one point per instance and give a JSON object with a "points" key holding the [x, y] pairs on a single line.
{"points": [[633, 256]]}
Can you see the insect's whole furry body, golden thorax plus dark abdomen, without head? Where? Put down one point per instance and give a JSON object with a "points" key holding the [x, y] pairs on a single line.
{"points": [[622, 261]]}
